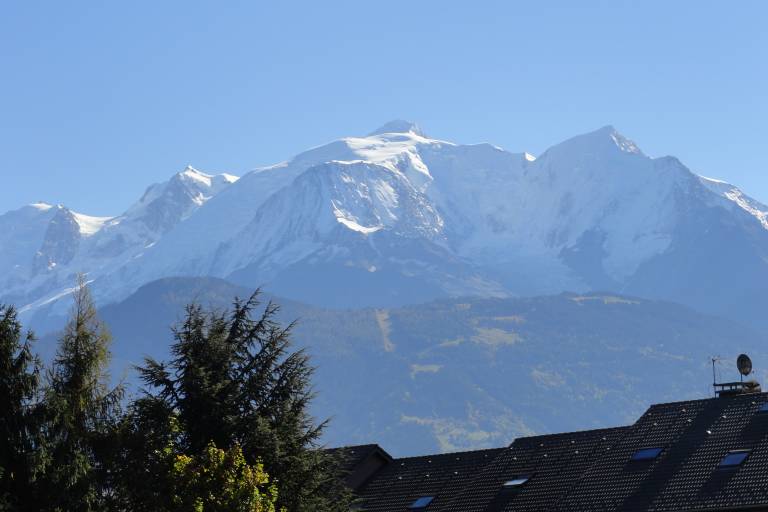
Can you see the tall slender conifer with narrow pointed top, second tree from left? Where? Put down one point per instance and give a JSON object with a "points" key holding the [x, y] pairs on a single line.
{"points": [[81, 412]]}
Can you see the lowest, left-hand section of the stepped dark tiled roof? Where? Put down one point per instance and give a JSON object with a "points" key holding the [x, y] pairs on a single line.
{"points": [[443, 476]]}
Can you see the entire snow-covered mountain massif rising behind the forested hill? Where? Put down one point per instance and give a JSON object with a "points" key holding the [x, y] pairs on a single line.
{"points": [[398, 217]]}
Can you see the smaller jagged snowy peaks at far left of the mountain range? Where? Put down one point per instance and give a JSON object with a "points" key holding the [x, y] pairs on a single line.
{"points": [[45, 246]]}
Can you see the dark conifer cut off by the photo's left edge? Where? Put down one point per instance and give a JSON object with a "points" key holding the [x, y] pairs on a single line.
{"points": [[19, 423]]}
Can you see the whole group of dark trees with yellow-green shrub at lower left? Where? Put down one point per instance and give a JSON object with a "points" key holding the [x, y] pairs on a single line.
{"points": [[221, 425]]}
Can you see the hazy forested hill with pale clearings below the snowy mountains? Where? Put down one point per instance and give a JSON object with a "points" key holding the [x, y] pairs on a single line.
{"points": [[452, 375]]}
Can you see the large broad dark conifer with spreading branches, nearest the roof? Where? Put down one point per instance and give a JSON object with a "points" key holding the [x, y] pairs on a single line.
{"points": [[235, 380]]}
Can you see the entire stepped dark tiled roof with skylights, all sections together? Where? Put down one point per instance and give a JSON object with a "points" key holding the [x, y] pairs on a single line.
{"points": [[594, 470]]}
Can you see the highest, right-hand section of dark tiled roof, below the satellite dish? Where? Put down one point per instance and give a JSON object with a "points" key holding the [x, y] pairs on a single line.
{"points": [[696, 435]]}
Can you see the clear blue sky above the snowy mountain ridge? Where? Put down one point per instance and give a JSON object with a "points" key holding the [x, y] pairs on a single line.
{"points": [[100, 99]]}
